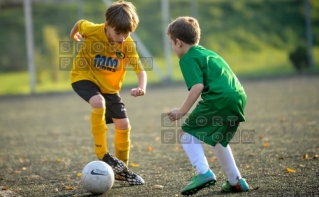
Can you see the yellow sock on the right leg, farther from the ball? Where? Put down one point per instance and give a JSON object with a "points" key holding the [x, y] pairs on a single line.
{"points": [[122, 144]]}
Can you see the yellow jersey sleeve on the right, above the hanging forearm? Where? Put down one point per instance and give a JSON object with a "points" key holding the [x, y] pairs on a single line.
{"points": [[133, 60]]}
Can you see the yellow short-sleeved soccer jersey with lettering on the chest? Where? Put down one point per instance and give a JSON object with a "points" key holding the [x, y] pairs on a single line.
{"points": [[101, 62]]}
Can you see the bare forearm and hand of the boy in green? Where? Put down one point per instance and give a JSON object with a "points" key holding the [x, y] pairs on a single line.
{"points": [[193, 95]]}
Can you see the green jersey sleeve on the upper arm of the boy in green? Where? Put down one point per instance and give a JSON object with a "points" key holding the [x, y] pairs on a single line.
{"points": [[191, 72]]}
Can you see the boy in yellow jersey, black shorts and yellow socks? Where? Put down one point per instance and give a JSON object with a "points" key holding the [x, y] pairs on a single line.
{"points": [[98, 71]]}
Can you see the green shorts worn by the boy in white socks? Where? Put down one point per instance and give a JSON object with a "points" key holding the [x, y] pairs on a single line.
{"points": [[216, 120]]}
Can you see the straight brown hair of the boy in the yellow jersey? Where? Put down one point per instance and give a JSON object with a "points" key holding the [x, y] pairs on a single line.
{"points": [[122, 16]]}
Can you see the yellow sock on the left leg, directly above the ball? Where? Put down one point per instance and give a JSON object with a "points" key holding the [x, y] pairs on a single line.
{"points": [[99, 129]]}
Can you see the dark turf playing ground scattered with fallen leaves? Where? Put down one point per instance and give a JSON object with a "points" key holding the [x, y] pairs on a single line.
{"points": [[45, 142]]}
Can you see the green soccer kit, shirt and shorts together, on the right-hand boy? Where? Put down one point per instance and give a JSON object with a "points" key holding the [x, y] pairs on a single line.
{"points": [[223, 97]]}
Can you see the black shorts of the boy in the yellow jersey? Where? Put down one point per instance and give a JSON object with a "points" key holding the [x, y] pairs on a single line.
{"points": [[115, 108]]}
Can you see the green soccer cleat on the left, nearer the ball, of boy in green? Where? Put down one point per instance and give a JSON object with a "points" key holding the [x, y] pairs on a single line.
{"points": [[199, 182]]}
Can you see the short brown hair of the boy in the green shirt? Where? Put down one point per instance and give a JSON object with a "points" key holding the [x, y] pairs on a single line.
{"points": [[184, 28]]}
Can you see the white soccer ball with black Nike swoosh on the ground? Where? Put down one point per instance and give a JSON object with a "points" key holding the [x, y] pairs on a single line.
{"points": [[97, 177]]}
